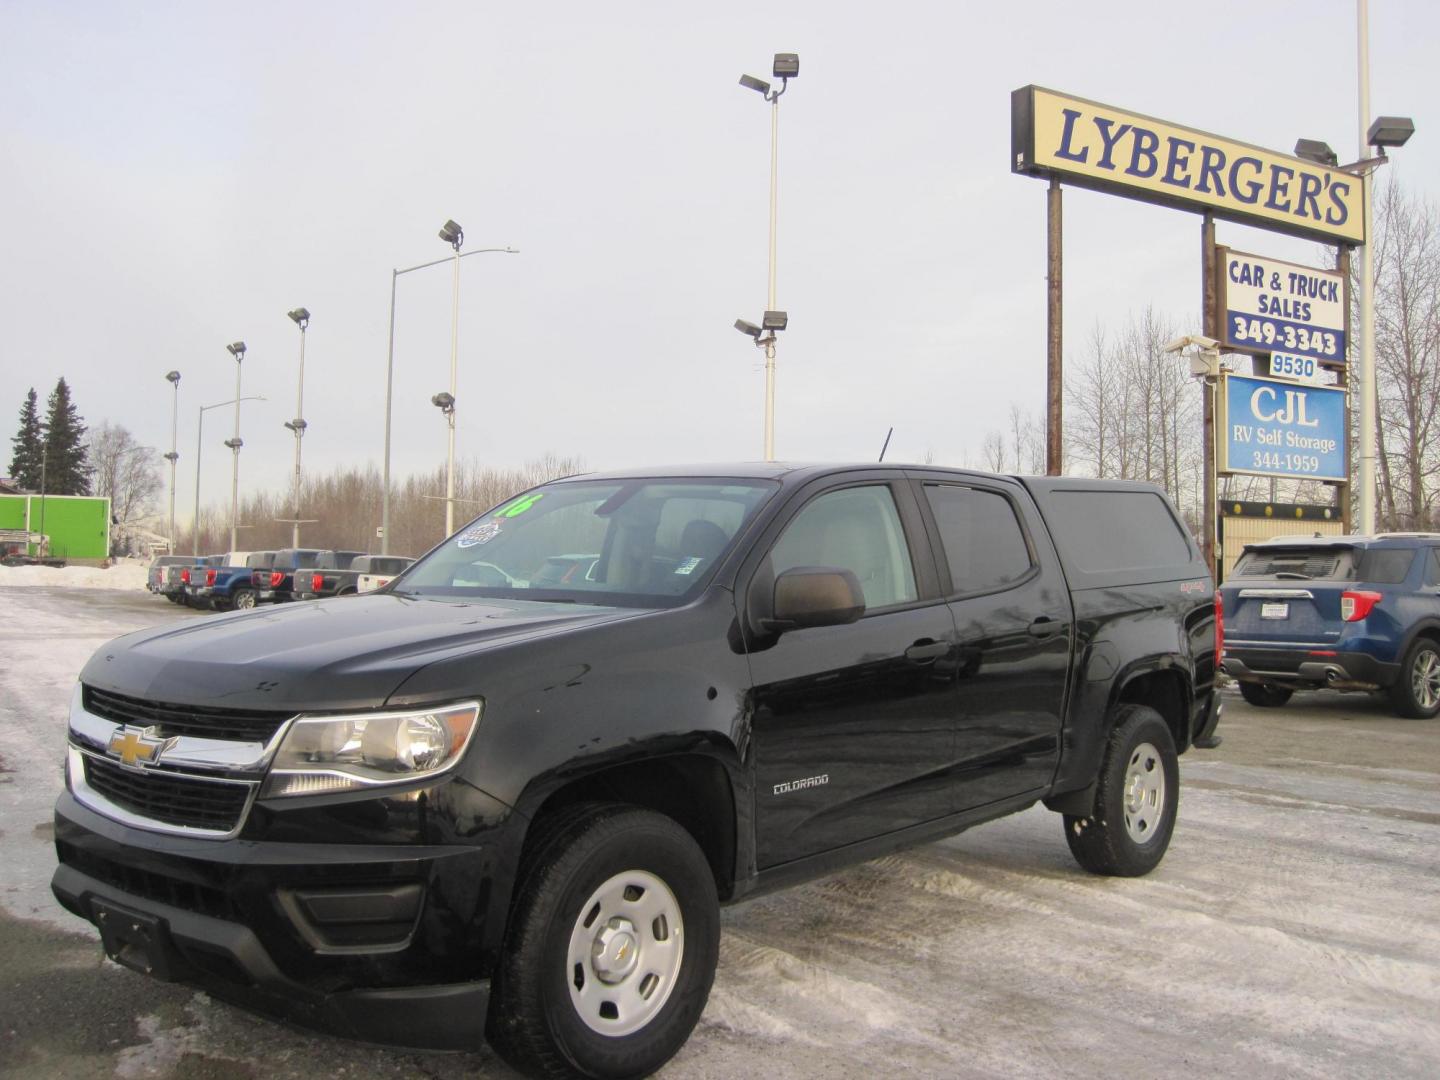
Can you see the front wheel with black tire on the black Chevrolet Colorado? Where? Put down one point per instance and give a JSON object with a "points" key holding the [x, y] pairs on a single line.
{"points": [[593, 981]]}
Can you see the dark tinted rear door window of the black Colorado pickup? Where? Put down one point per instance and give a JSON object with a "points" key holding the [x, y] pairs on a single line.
{"points": [[984, 544]]}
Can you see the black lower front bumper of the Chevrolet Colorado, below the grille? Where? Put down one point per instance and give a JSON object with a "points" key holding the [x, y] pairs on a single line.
{"points": [[365, 941]]}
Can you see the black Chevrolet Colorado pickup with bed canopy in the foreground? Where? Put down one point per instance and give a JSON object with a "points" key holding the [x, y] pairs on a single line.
{"points": [[505, 796]]}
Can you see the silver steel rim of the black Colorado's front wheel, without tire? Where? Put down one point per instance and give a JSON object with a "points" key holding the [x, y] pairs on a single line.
{"points": [[626, 953]]}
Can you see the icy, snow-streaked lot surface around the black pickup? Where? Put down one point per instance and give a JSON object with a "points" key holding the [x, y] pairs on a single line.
{"points": [[1291, 932]]}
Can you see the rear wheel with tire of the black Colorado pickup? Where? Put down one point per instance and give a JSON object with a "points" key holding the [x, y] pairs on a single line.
{"points": [[1137, 798]]}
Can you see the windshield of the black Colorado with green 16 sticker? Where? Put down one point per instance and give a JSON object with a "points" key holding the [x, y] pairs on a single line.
{"points": [[630, 544]]}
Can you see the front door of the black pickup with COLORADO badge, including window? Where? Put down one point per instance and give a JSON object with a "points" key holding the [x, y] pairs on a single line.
{"points": [[853, 725]]}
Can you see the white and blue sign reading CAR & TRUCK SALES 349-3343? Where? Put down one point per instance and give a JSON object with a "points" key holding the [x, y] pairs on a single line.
{"points": [[1275, 306]]}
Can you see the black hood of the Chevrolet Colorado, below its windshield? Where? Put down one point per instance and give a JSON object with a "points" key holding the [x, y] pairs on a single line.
{"points": [[346, 653]]}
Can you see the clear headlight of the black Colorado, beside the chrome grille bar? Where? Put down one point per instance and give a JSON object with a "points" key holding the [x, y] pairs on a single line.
{"points": [[332, 754]]}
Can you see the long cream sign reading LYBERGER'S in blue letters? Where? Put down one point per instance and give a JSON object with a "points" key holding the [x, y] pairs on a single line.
{"points": [[1098, 146]]}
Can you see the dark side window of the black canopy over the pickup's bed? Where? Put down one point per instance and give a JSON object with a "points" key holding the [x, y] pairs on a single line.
{"points": [[1101, 532]]}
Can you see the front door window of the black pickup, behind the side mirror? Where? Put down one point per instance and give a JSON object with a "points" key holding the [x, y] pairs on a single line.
{"points": [[858, 531]]}
